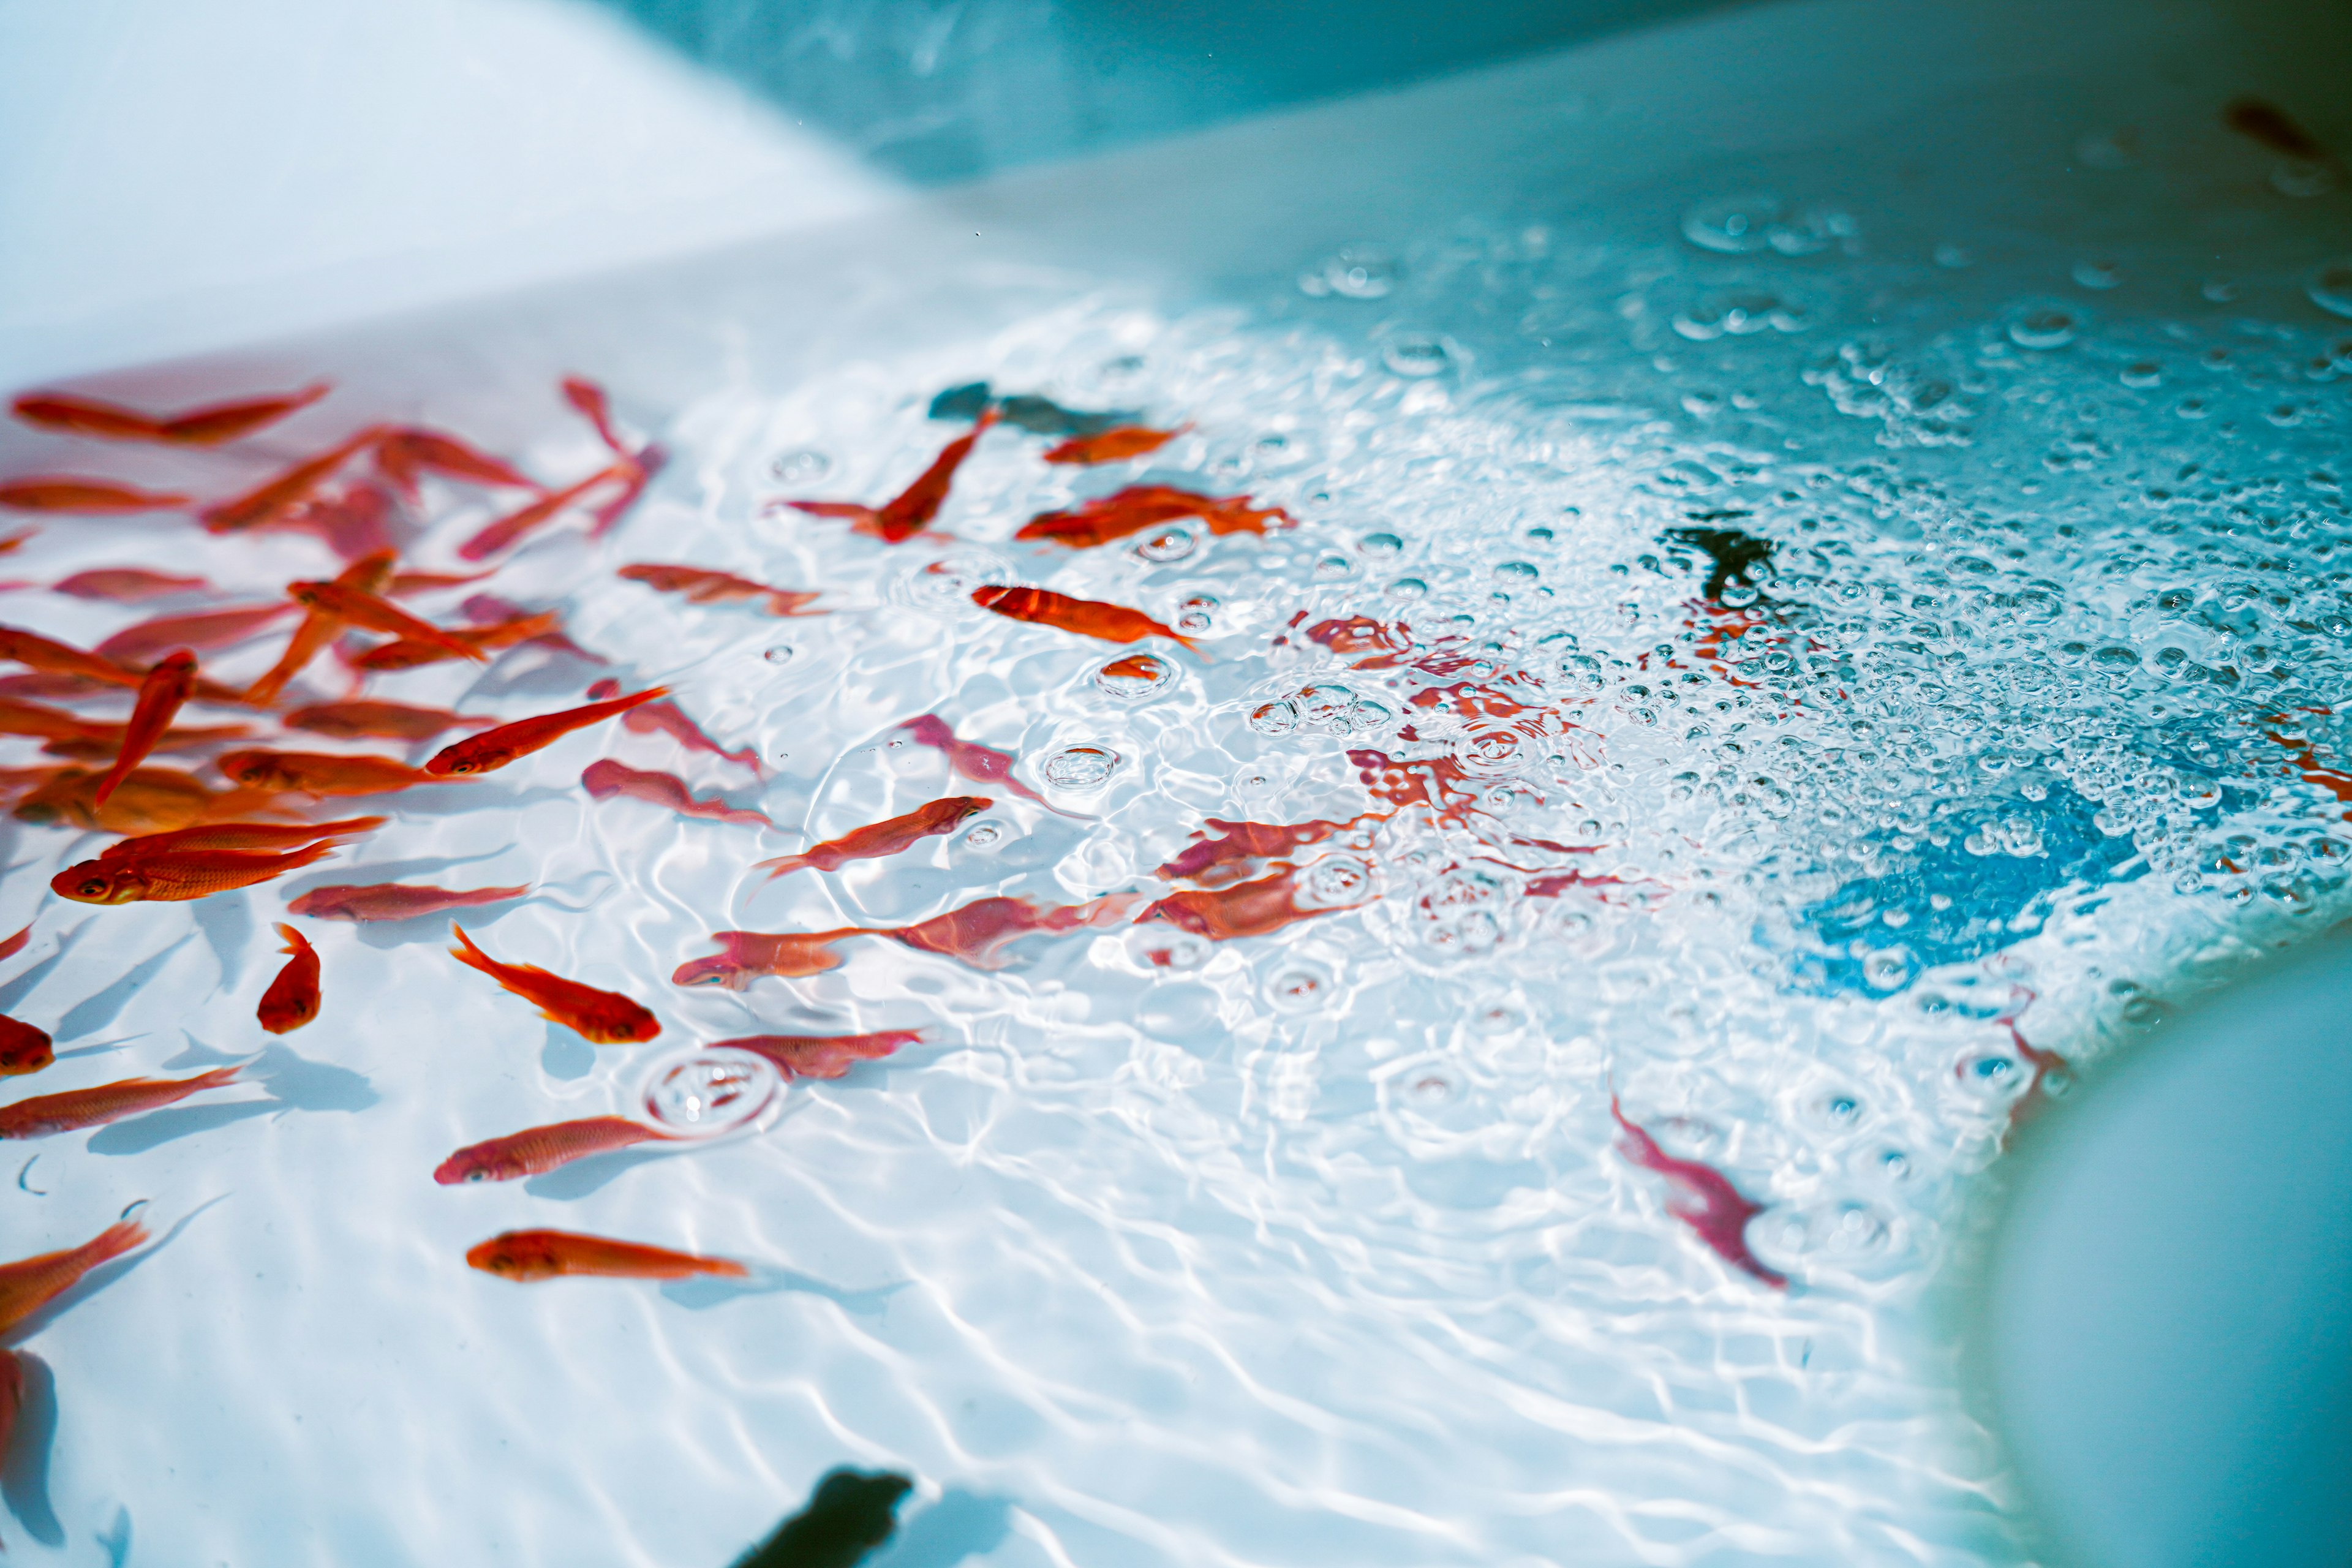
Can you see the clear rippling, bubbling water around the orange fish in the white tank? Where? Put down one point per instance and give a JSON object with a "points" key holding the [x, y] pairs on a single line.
{"points": [[1302, 1247]]}
